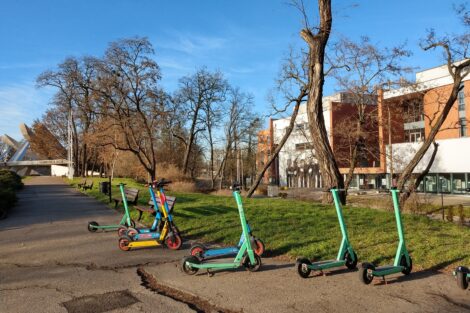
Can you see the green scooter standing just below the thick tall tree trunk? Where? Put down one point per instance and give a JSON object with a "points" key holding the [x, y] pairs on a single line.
{"points": [[346, 255]]}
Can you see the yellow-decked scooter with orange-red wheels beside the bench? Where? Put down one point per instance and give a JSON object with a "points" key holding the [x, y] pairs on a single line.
{"points": [[166, 232]]}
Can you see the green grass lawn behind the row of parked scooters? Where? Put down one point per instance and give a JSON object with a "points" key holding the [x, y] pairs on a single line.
{"points": [[297, 228]]}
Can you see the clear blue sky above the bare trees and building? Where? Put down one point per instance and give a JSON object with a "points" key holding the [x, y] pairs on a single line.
{"points": [[246, 40]]}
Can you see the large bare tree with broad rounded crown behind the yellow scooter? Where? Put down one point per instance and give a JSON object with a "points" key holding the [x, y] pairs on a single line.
{"points": [[131, 99]]}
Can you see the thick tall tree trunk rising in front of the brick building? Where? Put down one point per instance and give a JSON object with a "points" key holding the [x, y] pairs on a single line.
{"points": [[331, 176]]}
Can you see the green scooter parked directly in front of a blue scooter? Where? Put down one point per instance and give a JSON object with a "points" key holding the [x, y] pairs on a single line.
{"points": [[245, 256]]}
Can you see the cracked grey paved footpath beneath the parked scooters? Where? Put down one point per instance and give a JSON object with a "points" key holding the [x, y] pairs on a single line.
{"points": [[49, 262]]}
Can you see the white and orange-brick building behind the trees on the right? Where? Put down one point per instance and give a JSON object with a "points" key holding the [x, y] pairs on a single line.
{"points": [[408, 113]]}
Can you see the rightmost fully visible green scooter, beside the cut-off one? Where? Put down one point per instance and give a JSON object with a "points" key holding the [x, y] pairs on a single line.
{"points": [[402, 262]]}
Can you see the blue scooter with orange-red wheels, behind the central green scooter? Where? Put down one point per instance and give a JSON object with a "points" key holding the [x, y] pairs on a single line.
{"points": [[203, 253]]}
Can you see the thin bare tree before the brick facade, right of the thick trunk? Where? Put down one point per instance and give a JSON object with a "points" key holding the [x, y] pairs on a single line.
{"points": [[361, 67]]}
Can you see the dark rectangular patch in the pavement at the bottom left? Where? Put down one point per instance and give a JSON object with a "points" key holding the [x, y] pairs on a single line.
{"points": [[98, 303]]}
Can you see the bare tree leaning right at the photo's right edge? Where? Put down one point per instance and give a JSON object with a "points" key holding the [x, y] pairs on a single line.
{"points": [[455, 50]]}
